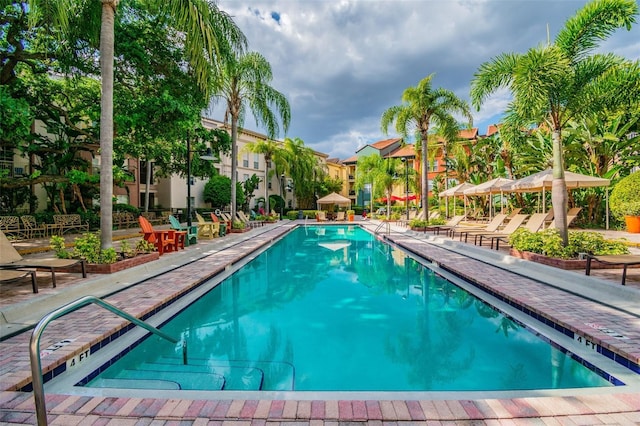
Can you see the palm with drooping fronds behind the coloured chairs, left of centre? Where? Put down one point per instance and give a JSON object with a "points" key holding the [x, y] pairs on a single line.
{"points": [[243, 83]]}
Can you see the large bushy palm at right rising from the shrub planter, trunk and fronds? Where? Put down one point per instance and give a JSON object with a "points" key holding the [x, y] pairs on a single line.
{"points": [[555, 83]]}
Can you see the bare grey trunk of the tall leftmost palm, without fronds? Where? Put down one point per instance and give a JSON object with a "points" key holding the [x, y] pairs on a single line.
{"points": [[106, 121]]}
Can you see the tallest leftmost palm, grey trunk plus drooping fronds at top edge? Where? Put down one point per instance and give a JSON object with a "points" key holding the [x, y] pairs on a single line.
{"points": [[210, 36]]}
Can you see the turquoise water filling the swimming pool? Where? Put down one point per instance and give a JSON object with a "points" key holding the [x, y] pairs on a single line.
{"points": [[334, 309]]}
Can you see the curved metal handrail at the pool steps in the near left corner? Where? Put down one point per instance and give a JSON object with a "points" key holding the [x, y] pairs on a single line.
{"points": [[34, 345]]}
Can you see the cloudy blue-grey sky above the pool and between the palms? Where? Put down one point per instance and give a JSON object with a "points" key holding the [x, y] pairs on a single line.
{"points": [[341, 63]]}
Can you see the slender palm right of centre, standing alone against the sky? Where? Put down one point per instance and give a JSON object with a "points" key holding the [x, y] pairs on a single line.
{"points": [[422, 105]]}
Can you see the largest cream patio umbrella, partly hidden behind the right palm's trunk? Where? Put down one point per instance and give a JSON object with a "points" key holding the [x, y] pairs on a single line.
{"points": [[543, 180]]}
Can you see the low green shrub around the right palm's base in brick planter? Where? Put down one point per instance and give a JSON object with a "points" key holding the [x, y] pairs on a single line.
{"points": [[549, 243]]}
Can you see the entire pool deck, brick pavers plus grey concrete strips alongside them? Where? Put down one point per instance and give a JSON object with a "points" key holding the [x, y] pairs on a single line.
{"points": [[568, 298]]}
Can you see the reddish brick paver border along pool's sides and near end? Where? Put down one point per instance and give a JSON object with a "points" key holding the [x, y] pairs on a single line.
{"points": [[90, 325]]}
